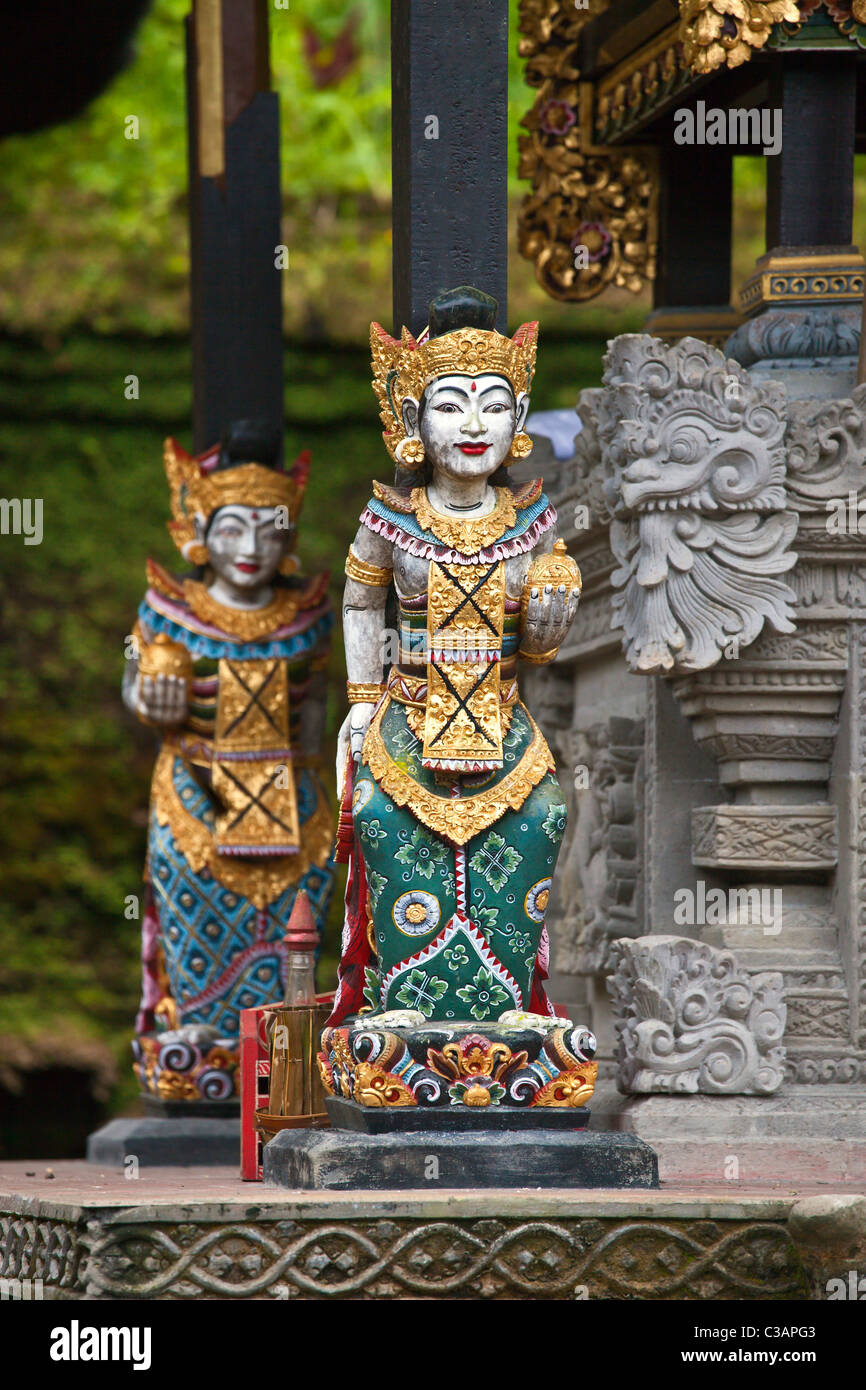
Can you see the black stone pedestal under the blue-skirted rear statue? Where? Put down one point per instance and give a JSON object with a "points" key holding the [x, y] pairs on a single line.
{"points": [[168, 1140]]}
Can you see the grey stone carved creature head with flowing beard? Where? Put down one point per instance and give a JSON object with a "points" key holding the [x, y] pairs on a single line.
{"points": [[696, 479]]}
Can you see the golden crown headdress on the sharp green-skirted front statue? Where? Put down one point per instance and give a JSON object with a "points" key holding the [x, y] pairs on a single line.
{"points": [[404, 368]]}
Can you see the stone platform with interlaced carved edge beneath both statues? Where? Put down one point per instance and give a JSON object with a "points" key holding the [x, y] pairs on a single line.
{"points": [[202, 1234]]}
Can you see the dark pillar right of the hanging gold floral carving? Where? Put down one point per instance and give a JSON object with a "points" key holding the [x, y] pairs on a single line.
{"points": [[696, 206]]}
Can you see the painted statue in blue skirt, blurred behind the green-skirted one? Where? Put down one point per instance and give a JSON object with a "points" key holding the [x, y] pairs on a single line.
{"points": [[231, 671]]}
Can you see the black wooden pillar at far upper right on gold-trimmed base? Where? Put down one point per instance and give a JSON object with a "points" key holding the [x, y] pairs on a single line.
{"points": [[811, 183]]}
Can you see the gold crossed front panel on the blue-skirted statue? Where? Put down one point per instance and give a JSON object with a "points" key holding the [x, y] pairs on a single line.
{"points": [[252, 768]]}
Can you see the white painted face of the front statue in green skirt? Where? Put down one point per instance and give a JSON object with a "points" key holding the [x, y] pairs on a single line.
{"points": [[468, 423]]}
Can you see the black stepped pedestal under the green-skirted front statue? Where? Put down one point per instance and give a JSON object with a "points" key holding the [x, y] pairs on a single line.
{"points": [[457, 1153]]}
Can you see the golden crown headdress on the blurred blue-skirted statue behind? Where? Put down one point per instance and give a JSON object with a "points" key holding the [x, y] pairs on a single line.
{"points": [[199, 489]]}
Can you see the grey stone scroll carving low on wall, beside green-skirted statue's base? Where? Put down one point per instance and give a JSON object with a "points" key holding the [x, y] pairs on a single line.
{"points": [[690, 1021]]}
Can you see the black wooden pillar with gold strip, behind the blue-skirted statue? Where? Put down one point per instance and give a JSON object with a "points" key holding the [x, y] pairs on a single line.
{"points": [[234, 218]]}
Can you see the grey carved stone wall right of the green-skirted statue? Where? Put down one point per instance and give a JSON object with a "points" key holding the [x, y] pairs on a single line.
{"points": [[755, 736]]}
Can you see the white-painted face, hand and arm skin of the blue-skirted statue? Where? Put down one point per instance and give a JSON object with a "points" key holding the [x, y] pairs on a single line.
{"points": [[245, 548]]}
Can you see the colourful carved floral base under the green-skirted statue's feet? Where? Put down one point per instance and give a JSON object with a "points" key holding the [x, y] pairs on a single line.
{"points": [[401, 1060]]}
